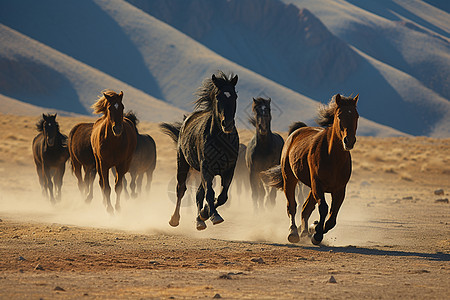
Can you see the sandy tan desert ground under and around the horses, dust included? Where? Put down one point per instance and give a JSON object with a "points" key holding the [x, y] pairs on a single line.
{"points": [[392, 238]]}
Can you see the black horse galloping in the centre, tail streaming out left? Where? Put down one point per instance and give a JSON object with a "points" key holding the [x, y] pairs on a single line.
{"points": [[208, 142]]}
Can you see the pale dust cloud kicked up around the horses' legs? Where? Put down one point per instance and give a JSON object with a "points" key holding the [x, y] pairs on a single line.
{"points": [[150, 213]]}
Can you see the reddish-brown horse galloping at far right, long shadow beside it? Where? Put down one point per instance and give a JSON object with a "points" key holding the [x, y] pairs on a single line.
{"points": [[319, 158]]}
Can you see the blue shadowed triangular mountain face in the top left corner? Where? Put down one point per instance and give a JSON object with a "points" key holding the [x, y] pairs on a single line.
{"points": [[83, 31]]}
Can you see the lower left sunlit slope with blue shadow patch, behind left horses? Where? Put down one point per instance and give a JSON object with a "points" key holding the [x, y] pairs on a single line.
{"points": [[36, 74]]}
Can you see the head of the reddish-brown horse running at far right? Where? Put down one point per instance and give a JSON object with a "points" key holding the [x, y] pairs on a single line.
{"points": [[346, 120]]}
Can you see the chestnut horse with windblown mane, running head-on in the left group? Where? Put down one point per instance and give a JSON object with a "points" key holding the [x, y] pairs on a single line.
{"points": [[113, 142]]}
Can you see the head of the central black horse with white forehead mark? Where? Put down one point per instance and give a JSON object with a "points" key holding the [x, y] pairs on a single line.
{"points": [[225, 104]]}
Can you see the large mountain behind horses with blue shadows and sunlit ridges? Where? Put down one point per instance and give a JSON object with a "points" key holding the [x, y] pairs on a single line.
{"points": [[60, 54]]}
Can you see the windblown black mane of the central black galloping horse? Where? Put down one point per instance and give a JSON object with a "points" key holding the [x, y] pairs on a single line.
{"points": [[207, 91]]}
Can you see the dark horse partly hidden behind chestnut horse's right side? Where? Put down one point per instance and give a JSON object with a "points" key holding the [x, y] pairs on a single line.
{"points": [[143, 161]]}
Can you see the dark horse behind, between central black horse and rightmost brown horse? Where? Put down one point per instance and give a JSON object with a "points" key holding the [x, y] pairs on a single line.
{"points": [[263, 152]]}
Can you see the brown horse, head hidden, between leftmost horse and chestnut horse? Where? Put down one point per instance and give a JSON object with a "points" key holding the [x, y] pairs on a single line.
{"points": [[82, 157]]}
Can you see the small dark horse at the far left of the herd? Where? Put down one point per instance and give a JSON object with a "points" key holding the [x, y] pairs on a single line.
{"points": [[50, 155]]}
